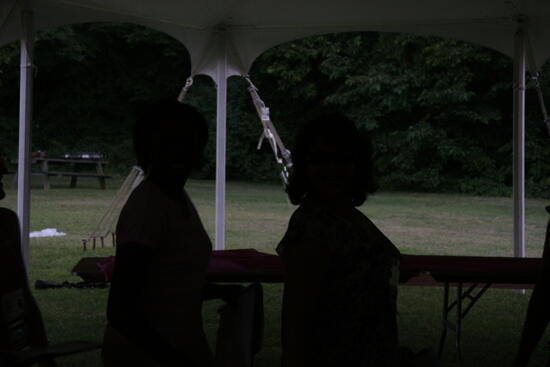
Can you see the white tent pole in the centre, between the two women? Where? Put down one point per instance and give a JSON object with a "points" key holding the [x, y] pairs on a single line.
{"points": [[221, 125]]}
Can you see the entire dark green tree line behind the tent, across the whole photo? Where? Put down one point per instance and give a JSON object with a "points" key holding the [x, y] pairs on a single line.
{"points": [[439, 111]]}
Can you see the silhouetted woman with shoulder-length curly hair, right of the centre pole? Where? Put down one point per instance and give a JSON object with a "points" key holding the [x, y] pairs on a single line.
{"points": [[339, 303]]}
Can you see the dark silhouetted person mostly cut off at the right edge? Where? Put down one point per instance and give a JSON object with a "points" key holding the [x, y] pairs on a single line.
{"points": [[538, 313]]}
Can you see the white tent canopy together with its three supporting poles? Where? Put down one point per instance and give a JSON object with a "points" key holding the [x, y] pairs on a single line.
{"points": [[224, 37]]}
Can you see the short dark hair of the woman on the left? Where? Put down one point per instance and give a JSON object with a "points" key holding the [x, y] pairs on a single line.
{"points": [[166, 116]]}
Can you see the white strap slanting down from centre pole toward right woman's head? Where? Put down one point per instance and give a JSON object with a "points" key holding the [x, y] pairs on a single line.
{"points": [[281, 153]]}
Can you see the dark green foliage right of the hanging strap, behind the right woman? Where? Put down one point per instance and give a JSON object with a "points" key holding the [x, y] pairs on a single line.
{"points": [[439, 111]]}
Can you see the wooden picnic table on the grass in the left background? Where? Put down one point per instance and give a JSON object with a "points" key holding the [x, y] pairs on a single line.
{"points": [[68, 167]]}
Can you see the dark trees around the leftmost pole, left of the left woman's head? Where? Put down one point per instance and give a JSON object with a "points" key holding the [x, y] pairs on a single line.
{"points": [[77, 89]]}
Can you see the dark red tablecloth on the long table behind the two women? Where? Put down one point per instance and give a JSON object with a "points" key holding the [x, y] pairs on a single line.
{"points": [[249, 265]]}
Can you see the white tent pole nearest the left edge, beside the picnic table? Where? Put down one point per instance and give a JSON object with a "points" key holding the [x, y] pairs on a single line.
{"points": [[25, 118]]}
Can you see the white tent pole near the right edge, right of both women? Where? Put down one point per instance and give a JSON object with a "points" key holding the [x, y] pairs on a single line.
{"points": [[519, 142]]}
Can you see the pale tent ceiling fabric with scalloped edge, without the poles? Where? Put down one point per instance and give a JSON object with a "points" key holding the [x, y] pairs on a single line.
{"points": [[252, 26]]}
